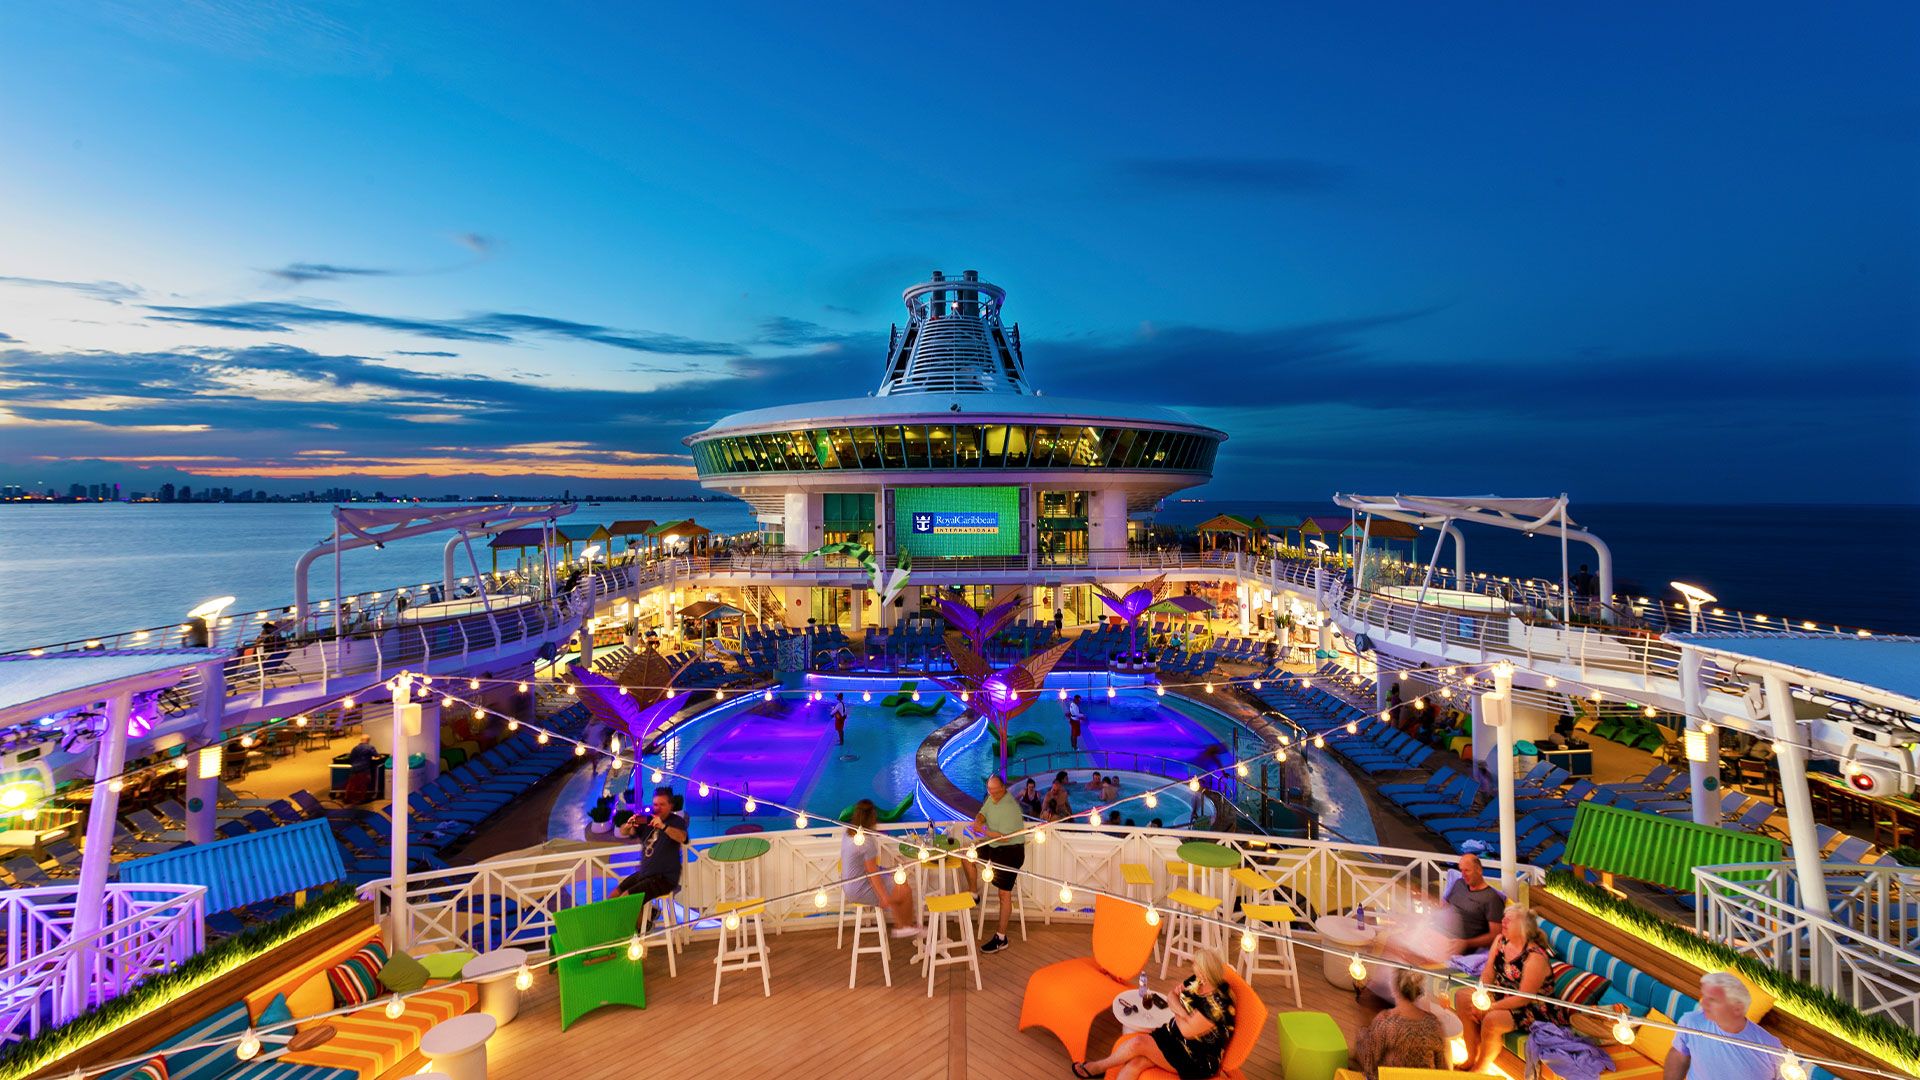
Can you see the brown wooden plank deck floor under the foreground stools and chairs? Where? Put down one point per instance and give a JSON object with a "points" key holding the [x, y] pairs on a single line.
{"points": [[815, 1027]]}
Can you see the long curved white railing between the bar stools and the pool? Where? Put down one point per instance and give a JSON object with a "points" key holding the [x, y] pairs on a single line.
{"points": [[512, 902]]}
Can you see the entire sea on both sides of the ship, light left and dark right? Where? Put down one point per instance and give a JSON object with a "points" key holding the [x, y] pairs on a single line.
{"points": [[78, 570]]}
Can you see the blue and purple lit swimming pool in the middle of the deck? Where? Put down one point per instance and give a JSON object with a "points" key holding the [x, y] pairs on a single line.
{"points": [[786, 752]]}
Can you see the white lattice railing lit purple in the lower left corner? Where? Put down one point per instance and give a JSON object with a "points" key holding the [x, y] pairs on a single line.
{"points": [[53, 977]]}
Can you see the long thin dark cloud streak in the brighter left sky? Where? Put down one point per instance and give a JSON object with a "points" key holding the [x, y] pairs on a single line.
{"points": [[502, 328]]}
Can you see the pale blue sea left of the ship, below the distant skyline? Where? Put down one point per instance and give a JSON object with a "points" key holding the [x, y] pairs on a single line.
{"points": [[70, 572]]}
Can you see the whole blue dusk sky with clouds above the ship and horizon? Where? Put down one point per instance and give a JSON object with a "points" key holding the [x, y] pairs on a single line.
{"points": [[1633, 253]]}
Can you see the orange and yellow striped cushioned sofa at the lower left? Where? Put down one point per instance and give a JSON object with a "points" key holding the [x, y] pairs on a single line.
{"points": [[366, 1044]]}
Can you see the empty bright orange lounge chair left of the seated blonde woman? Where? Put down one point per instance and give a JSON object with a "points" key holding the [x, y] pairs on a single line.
{"points": [[1068, 996]]}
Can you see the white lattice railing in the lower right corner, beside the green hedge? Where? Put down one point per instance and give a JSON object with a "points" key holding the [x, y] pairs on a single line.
{"points": [[1754, 908]]}
